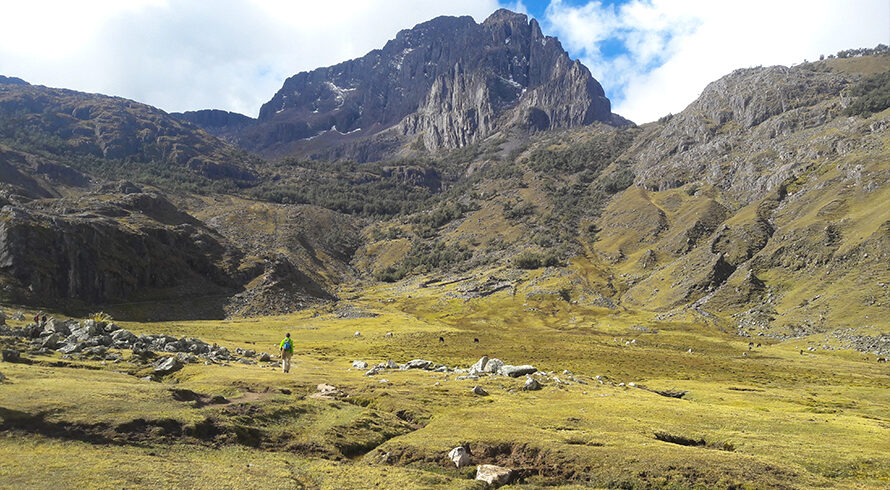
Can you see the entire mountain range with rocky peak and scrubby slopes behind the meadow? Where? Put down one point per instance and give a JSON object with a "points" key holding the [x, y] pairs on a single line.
{"points": [[760, 207]]}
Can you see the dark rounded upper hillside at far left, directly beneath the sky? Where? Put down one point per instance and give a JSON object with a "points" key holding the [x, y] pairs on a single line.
{"points": [[98, 128]]}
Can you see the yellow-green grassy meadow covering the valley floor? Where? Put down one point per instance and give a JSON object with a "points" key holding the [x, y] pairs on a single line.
{"points": [[813, 420]]}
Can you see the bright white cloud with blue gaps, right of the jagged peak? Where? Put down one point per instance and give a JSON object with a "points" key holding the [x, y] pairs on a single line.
{"points": [[675, 48]]}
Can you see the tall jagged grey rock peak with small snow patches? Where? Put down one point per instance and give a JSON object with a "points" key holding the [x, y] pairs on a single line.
{"points": [[450, 80]]}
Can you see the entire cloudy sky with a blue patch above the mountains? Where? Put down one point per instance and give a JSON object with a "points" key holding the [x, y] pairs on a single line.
{"points": [[653, 57]]}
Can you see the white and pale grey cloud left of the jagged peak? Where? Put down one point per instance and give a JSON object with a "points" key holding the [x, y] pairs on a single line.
{"points": [[193, 54]]}
